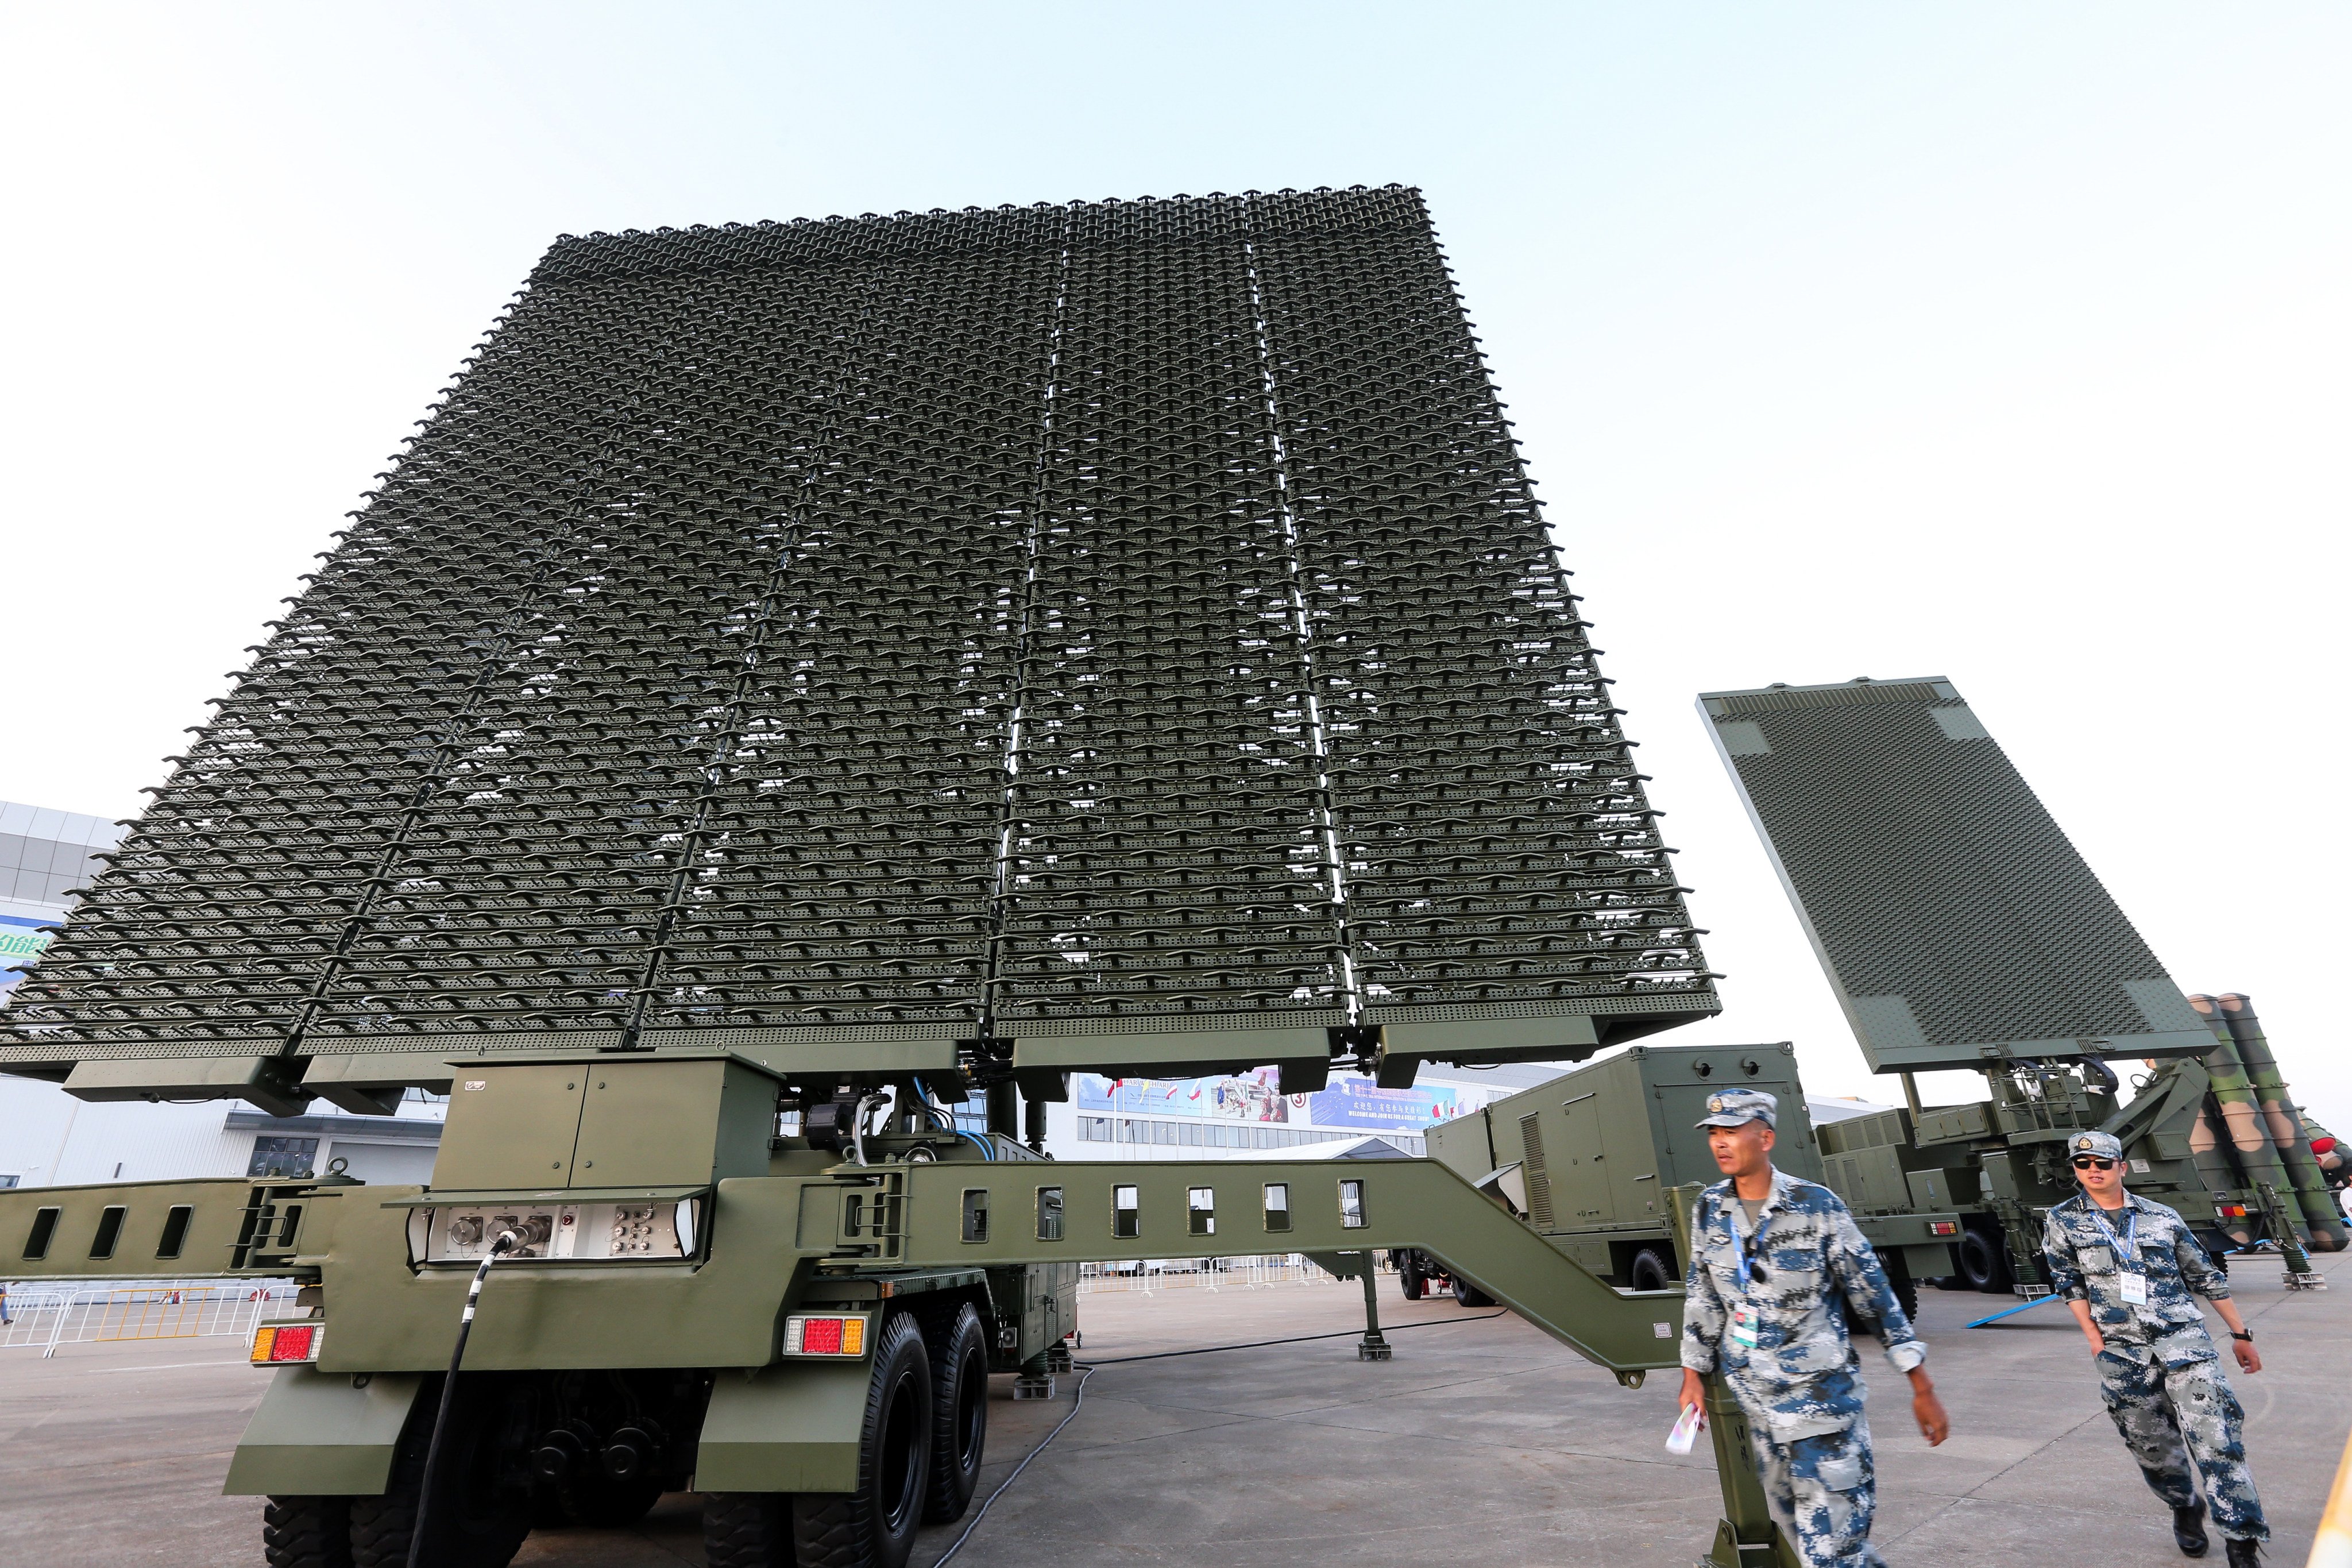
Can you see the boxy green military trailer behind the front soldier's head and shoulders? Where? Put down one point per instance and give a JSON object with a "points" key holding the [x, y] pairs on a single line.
{"points": [[1586, 1162]]}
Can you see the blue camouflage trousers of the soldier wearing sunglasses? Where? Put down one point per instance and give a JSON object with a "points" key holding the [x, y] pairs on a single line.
{"points": [[2174, 1416]]}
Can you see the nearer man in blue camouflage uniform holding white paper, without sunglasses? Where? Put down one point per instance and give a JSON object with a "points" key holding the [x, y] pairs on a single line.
{"points": [[1770, 1259]]}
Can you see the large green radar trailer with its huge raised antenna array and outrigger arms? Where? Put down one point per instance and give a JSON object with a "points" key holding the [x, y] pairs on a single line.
{"points": [[806, 683]]}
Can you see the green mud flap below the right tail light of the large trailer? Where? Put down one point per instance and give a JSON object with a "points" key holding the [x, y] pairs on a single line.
{"points": [[787, 1428]]}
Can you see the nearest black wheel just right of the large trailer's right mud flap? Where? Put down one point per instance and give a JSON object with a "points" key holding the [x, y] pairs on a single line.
{"points": [[876, 1525]]}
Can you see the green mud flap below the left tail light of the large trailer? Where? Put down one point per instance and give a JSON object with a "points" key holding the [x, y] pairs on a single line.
{"points": [[321, 1438]]}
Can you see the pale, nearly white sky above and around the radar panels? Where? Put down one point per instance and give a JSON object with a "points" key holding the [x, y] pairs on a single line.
{"points": [[1996, 342]]}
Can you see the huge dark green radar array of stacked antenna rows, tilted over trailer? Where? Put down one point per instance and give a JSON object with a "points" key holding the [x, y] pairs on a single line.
{"points": [[998, 641]]}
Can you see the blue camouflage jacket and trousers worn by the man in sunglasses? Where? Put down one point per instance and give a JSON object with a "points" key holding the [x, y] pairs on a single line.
{"points": [[2160, 1374]]}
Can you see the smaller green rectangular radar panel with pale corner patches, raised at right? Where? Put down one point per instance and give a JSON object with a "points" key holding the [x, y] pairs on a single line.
{"points": [[1956, 920]]}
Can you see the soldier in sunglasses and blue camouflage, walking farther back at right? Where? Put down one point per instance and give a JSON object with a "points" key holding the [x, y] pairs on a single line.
{"points": [[2132, 1271]]}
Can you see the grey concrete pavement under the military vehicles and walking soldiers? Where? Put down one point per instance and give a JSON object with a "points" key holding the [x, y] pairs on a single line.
{"points": [[1481, 1442]]}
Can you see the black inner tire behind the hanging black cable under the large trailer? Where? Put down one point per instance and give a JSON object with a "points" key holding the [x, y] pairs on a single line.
{"points": [[476, 1525]]}
